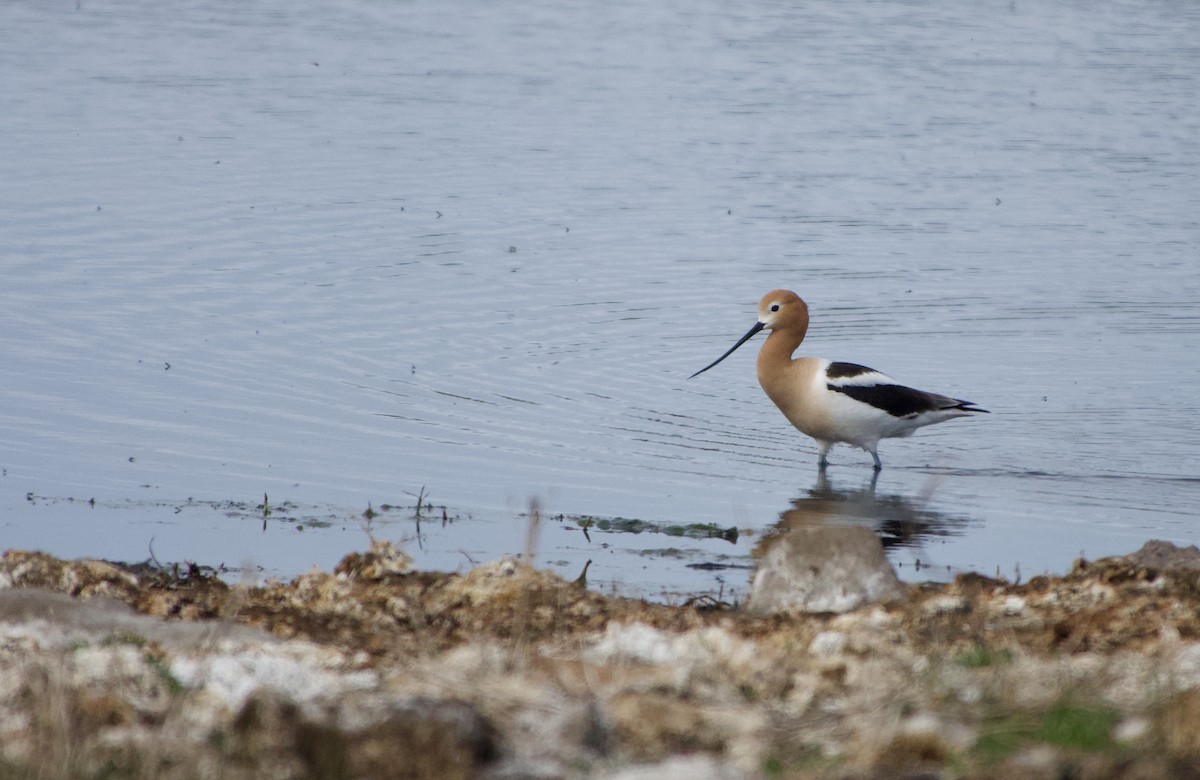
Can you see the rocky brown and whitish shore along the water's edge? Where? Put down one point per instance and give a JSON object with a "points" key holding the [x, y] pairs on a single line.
{"points": [[380, 671]]}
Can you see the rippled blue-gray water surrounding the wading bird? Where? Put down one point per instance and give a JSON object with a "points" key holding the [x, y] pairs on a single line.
{"points": [[346, 255]]}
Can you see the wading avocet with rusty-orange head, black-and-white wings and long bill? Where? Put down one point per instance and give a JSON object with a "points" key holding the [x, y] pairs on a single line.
{"points": [[836, 401]]}
